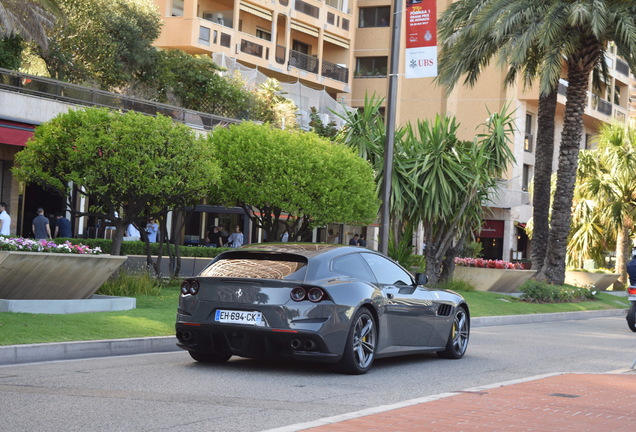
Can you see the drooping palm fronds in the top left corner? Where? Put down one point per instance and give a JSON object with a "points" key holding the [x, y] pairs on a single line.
{"points": [[28, 18]]}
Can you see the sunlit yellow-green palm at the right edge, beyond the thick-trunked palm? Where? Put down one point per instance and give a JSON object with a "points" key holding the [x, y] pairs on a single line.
{"points": [[606, 176]]}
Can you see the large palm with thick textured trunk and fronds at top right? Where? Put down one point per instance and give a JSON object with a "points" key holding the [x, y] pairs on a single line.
{"points": [[550, 34]]}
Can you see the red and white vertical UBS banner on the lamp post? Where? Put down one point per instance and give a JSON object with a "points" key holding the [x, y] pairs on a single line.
{"points": [[421, 38]]}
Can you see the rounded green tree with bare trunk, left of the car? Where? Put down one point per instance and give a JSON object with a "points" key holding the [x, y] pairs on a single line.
{"points": [[129, 166]]}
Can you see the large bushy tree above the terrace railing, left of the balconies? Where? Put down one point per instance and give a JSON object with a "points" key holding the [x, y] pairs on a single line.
{"points": [[105, 42]]}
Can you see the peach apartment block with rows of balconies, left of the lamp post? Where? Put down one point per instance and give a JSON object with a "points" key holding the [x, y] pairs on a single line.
{"points": [[306, 42]]}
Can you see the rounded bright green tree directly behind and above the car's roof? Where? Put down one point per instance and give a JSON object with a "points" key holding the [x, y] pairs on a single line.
{"points": [[290, 180]]}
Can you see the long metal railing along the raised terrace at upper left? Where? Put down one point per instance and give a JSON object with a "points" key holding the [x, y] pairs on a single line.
{"points": [[57, 90]]}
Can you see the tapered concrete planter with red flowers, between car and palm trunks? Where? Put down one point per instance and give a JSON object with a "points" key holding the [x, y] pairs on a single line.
{"points": [[496, 280]]}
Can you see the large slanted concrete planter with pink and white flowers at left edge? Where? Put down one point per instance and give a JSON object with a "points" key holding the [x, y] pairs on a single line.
{"points": [[44, 276]]}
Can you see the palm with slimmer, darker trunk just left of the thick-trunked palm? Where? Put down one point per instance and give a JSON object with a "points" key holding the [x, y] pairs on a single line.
{"points": [[468, 45]]}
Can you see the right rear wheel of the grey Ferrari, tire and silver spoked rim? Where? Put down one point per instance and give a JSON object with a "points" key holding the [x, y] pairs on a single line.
{"points": [[361, 344]]}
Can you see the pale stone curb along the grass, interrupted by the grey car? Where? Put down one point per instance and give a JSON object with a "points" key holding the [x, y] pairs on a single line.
{"points": [[35, 353]]}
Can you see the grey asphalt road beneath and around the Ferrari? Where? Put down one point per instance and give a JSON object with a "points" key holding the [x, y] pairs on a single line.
{"points": [[170, 392]]}
